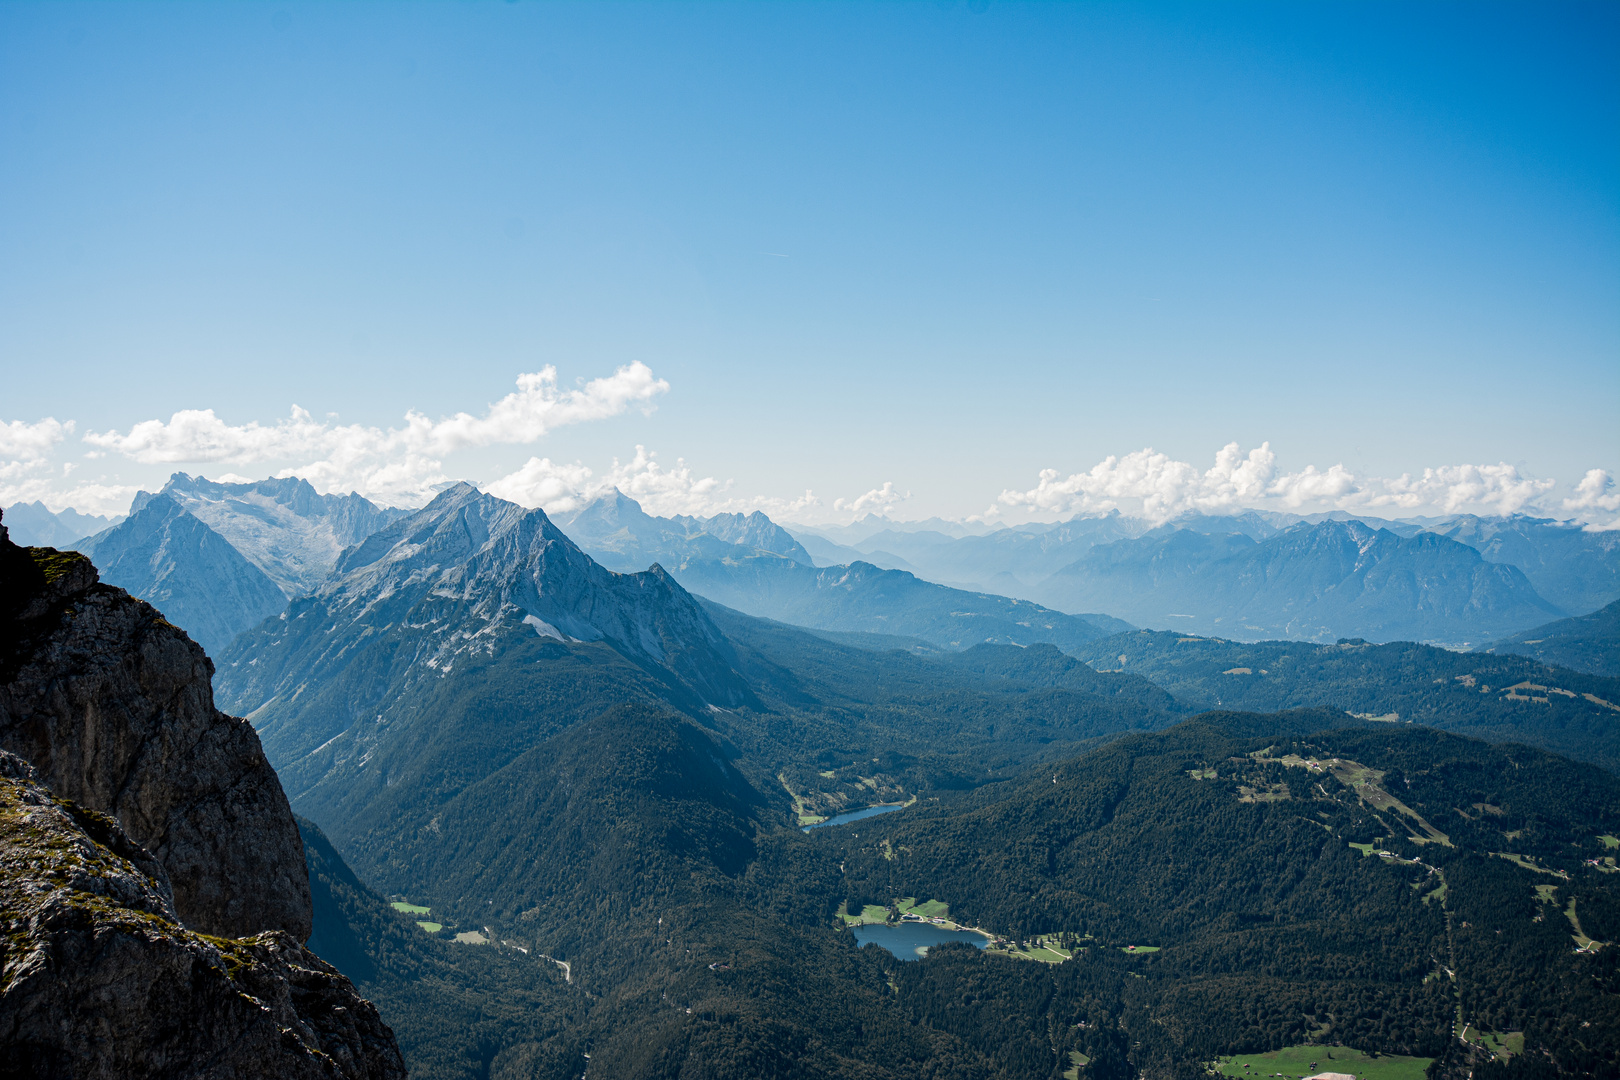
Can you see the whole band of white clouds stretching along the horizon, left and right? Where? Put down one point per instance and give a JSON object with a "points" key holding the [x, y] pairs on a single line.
{"points": [[406, 466]]}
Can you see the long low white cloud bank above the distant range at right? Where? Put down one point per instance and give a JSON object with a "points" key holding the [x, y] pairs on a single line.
{"points": [[1159, 488]]}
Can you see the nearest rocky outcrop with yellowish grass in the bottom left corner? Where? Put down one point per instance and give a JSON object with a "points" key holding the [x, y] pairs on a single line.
{"points": [[101, 980]]}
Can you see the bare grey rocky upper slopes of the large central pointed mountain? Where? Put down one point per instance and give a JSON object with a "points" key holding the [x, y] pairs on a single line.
{"points": [[438, 589]]}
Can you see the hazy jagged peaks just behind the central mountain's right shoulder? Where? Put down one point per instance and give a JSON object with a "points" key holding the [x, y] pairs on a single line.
{"points": [[623, 537]]}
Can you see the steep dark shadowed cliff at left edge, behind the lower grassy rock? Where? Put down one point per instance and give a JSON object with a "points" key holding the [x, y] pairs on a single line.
{"points": [[114, 707]]}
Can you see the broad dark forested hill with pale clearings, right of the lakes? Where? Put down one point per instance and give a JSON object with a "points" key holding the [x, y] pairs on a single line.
{"points": [[1230, 846]]}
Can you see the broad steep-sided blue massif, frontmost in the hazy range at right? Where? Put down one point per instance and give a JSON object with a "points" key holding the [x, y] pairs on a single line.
{"points": [[1311, 582]]}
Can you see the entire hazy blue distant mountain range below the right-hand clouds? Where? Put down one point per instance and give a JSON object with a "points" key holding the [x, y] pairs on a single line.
{"points": [[1261, 576]]}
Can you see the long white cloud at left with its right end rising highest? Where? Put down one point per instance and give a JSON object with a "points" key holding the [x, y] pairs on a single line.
{"points": [[398, 464]]}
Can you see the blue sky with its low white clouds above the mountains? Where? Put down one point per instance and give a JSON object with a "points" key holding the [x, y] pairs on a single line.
{"points": [[934, 245]]}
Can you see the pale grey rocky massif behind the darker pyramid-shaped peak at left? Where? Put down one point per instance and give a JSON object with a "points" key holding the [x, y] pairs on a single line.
{"points": [[281, 525]]}
